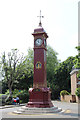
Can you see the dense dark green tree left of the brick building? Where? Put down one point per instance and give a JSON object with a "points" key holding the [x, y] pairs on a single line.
{"points": [[62, 73]]}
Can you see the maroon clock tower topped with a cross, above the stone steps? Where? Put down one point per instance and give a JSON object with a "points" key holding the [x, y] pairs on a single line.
{"points": [[39, 95]]}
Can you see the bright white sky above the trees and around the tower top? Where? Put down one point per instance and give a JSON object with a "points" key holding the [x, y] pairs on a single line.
{"points": [[19, 19]]}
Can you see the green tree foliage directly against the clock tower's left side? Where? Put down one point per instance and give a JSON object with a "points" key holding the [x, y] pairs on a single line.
{"points": [[25, 79]]}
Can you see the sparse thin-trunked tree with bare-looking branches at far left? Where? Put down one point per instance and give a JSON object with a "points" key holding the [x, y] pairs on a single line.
{"points": [[9, 68]]}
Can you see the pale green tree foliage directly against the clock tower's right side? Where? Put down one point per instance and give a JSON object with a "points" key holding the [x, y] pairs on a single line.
{"points": [[52, 63]]}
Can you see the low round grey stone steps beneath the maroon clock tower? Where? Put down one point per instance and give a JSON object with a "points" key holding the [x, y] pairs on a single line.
{"points": [[31, 111]]}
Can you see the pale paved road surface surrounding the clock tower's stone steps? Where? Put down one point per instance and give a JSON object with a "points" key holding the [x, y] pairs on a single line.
{"points": [[69, 110]]}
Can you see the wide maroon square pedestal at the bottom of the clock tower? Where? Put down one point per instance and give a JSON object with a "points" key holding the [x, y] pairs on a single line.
{"points": [[40, 98]]}
